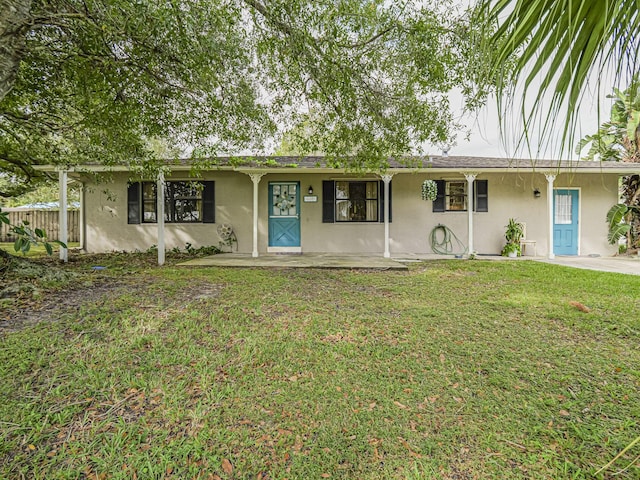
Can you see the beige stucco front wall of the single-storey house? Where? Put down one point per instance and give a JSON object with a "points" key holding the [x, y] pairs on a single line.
{"points": [[510, 195]]}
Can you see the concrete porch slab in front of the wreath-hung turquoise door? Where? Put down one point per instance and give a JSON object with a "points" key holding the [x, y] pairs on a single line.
{"points": [[305, 260]]}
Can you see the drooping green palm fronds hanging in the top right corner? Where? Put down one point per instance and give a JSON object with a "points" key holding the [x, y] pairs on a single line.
{"points": [[555, 47]]}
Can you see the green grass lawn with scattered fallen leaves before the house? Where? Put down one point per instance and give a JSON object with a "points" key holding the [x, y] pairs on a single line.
{"points": [[452, 370]]}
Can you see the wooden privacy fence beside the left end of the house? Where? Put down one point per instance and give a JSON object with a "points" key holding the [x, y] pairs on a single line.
{"points": [[47, 220]]}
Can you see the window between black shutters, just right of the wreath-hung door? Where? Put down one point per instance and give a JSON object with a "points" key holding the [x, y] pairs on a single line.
{"points": [[357, 201]]}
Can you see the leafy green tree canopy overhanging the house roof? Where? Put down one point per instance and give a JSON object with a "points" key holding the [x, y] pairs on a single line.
{"points": [[97, 80]]}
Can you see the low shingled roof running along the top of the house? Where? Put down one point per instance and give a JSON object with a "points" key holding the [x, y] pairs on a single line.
{"points": [[409, 164]]}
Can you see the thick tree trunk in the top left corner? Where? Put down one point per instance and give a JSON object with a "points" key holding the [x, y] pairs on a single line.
{"points": [[14, 22]]}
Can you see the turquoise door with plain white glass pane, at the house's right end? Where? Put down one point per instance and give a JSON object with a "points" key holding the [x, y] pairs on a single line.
{"points": [[565, 222]]}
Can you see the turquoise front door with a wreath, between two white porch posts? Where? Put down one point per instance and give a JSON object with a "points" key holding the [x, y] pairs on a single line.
{"points": [[284, 214]]}
